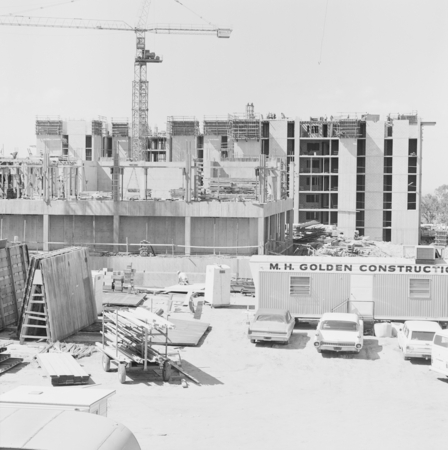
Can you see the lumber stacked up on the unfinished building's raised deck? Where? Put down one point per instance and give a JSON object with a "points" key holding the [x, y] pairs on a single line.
{"points": [[233, 188]]}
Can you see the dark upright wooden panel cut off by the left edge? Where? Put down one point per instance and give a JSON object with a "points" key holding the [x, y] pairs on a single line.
{"points": [[14, 261]]}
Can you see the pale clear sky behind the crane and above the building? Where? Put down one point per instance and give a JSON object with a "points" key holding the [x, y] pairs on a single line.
{"points": [[301, 58]]}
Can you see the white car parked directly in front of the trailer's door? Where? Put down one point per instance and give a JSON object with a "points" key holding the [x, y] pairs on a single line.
{"points": [[339, 332]]}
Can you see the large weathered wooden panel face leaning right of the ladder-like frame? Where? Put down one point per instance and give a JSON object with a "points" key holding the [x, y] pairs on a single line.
{"points": [[69, 292]]}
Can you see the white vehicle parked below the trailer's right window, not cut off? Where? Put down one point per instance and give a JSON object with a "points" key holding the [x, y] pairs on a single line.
{"points": [[415, 338]]}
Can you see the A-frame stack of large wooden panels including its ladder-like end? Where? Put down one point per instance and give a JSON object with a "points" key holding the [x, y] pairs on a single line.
{"points": [[59, 298]]}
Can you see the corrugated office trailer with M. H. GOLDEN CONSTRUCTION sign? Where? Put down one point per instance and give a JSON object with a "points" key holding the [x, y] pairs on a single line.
{"points": [[395, 289]]}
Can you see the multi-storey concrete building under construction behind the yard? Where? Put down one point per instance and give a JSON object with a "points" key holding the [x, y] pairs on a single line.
{"points": [[232, 184]]}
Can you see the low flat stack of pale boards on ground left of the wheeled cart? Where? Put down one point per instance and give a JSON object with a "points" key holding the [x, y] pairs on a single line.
{"points": [[62, 369]]}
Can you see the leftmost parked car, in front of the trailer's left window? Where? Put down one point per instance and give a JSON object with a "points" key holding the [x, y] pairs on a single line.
{"points": [[271, 325]]}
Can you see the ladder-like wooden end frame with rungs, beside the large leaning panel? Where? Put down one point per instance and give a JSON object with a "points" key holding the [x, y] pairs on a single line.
{"points": [[35, 311]]}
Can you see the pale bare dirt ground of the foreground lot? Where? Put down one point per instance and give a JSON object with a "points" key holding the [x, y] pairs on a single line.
{"points": [[268, 396]]}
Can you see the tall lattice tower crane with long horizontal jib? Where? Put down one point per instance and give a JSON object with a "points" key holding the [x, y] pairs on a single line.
{"points": [[143, 56]]}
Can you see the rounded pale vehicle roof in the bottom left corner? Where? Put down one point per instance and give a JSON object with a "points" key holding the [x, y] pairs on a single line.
{"points": [[51, 429]]}
